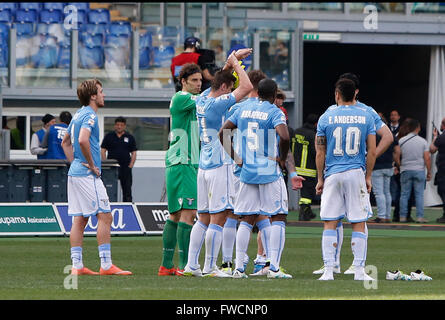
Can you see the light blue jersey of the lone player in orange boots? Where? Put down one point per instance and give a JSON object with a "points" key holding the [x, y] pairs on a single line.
{"points": [[85, 117]]}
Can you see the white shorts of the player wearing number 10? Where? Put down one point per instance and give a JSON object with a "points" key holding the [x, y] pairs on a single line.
{"points": [[345, 195]]}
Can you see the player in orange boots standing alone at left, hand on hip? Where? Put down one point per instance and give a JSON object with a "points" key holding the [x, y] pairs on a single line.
{"points": [[87, 195]]}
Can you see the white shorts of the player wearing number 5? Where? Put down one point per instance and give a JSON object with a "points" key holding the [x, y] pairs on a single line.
{"points": [[266, 199]]}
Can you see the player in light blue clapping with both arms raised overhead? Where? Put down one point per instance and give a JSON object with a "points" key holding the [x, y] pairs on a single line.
{"points": [[214, 173]]}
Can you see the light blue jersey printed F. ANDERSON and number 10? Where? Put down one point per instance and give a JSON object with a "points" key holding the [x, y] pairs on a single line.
{"points": [[346, 129]]}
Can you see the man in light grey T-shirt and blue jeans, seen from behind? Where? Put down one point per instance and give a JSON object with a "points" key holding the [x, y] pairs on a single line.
{"points": [[415, 157]]}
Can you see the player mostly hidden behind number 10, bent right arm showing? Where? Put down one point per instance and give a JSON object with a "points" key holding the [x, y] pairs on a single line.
{"points": [[386, 139]]}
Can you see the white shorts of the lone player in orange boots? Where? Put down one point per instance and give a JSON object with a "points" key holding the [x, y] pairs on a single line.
{"points": [[87, 196]]}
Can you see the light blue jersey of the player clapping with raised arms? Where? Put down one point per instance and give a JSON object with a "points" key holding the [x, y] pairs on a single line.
{"points": [[210, 114]]}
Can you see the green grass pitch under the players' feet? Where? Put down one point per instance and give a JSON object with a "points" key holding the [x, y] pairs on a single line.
{"points": [[33, 268]]}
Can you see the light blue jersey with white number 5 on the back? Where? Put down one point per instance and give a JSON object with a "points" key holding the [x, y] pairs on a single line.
{"points": [[256, 123]]}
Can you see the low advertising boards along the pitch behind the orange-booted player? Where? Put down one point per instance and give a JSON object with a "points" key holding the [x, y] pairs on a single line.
{"points": [[51, 219]]}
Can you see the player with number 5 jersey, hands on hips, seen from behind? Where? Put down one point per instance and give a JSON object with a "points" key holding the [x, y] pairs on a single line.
{"points": [[262, 190]]}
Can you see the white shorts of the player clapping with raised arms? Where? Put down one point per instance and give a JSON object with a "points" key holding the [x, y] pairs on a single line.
{"points": [[216, 192]]}
